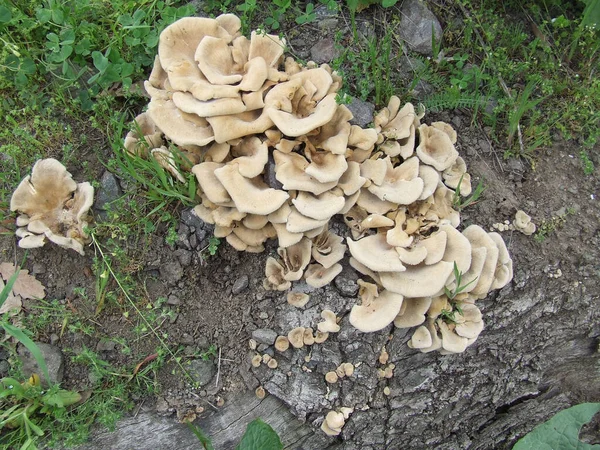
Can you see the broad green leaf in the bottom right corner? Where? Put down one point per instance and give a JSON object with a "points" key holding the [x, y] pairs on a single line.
{"points": [[561, 431]]}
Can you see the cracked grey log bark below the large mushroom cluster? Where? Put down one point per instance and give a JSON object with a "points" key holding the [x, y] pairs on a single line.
{"points": [[539, 352]]}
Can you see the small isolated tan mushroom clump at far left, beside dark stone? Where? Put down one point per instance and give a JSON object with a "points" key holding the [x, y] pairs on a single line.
{"points": [[52, 206]]}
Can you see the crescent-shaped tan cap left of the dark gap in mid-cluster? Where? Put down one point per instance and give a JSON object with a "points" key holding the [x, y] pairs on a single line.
{"points": [[249, 195]]}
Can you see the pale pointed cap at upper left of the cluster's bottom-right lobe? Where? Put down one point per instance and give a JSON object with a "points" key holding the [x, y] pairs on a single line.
{"points": [[375, 253]]}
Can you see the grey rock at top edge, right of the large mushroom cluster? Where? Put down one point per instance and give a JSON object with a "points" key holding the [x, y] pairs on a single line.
{"points": [[416, 26]]}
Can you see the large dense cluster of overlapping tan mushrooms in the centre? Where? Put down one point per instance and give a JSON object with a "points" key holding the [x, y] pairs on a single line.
{"points": [[276, 157]]}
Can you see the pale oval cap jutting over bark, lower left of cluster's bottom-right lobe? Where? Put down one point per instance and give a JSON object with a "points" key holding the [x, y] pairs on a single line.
{"points": [[377, 312]]}
